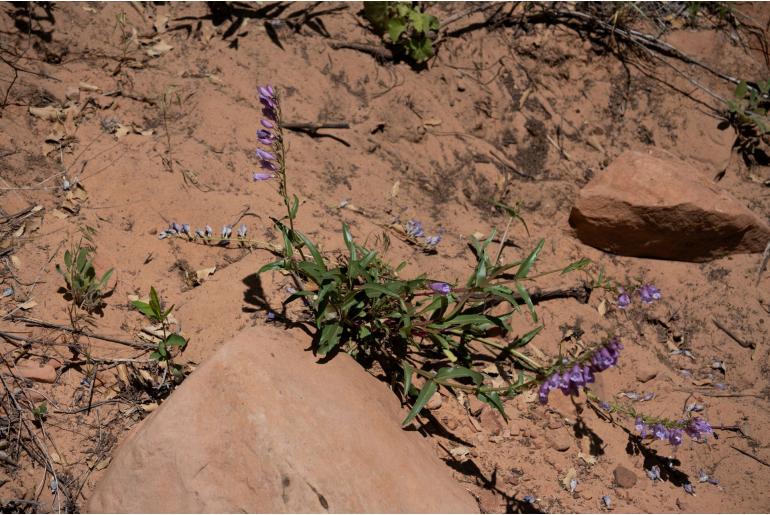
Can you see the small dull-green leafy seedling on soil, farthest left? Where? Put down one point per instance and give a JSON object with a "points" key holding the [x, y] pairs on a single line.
{"points": [[86, 291]]}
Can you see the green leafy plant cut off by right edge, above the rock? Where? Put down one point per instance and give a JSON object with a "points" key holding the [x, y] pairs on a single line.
{"points": [[748, 115]]}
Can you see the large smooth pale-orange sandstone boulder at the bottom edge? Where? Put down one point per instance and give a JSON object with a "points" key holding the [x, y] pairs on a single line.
{"points": [[261, 427]]}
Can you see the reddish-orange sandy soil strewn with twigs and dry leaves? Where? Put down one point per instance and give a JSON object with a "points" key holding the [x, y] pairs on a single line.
{"points": [[155, 110]]}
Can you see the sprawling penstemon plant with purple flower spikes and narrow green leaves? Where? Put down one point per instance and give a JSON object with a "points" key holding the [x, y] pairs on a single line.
{"points": [[433, 333]]}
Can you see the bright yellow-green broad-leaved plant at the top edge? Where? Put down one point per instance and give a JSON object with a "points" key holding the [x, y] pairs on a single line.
{"points": [[410, 31]]}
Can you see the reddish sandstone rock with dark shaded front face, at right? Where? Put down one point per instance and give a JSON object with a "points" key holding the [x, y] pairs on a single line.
{"points": [[645, 206]]}
